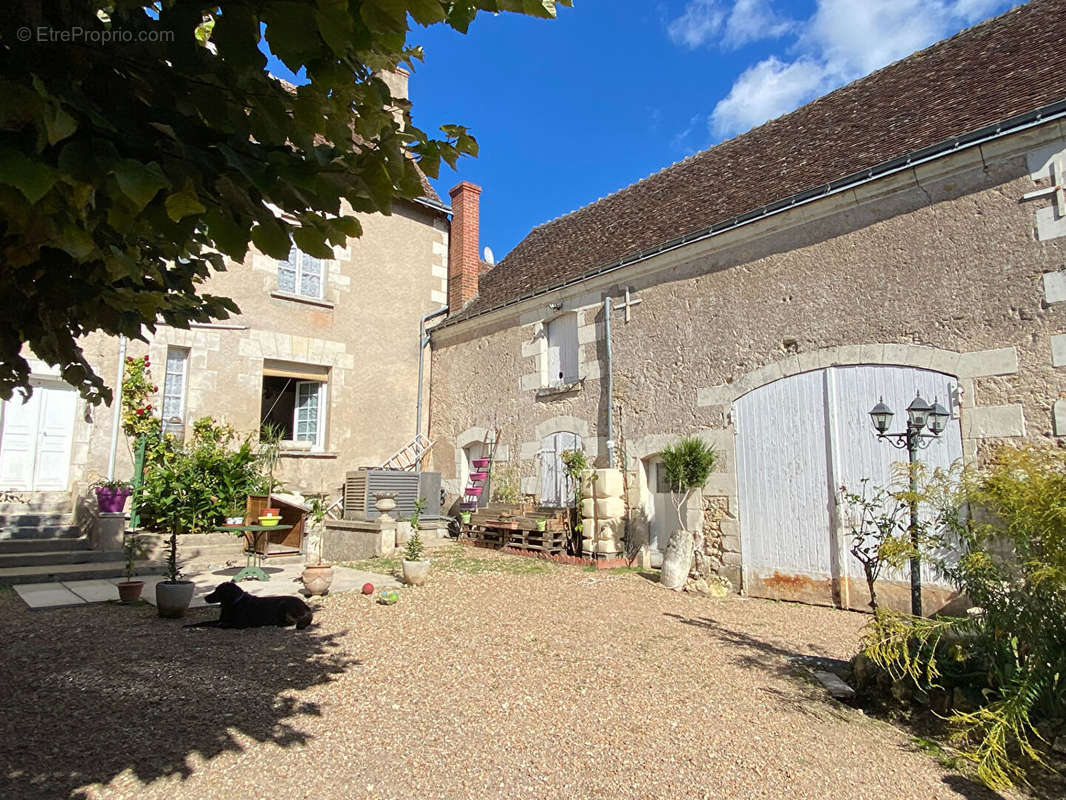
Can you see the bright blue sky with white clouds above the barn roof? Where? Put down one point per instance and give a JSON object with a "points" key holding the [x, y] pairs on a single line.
{"points": [[571, 110]]}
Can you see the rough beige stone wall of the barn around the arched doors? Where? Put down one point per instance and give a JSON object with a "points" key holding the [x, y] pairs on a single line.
{"points": [[940, 267]]}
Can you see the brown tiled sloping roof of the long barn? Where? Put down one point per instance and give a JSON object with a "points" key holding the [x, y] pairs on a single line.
{"points": [[1004, 68]]}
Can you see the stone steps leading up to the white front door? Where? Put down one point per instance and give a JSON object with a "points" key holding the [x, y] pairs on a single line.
{"points": [[40, 542]]}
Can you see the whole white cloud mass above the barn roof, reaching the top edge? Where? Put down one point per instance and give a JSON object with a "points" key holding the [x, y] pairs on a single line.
{"points": [[843, 41]]}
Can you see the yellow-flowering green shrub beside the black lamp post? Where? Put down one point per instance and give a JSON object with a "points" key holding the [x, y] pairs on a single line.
{"points": [[1007, 523]]}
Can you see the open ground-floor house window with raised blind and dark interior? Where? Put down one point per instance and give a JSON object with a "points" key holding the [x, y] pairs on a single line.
{"points": [[295, 402]]}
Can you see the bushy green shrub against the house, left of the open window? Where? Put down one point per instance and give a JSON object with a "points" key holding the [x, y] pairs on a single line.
{"points": [[193, 485]]}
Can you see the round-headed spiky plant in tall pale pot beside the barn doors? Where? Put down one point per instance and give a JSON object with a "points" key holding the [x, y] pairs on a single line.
{"points": [[688, 466]]}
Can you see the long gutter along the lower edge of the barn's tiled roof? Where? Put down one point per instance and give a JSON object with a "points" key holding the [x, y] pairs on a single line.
{"points": [[947, 148]]}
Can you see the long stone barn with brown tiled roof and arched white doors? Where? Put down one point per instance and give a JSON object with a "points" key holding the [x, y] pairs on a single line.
{"points": [[905, 233]]}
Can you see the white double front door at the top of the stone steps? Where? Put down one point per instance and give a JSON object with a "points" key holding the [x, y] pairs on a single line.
{"points": [[36, 439]]}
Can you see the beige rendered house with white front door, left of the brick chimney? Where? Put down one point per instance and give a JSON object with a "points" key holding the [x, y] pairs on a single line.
{"points": [[328, 350]]}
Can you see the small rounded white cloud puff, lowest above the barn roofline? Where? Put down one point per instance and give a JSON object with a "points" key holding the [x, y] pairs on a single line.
{"points": [[764, 91]]}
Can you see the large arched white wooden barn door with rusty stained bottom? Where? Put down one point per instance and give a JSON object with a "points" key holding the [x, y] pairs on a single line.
{"points": [[798, 441]]}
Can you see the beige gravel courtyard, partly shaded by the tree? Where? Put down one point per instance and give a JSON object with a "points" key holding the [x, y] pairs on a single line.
{"points": [[504, 678]]}
